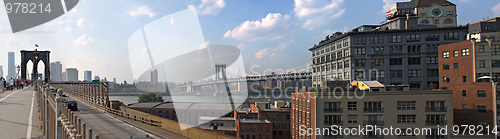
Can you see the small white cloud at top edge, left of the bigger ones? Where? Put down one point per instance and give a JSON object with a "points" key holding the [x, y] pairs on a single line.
{"points": [[209, 7]]}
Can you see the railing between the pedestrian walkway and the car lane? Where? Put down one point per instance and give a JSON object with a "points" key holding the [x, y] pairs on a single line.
{"points": [[57, 120]]}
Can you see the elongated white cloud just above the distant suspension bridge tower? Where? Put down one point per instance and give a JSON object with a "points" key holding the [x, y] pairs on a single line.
{"points": [[272, 27]]}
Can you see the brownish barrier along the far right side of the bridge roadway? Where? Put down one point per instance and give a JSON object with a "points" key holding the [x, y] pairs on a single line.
{"points": [[98, 97]]}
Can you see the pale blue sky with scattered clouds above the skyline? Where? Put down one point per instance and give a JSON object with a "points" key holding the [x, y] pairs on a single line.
{"points": [[271, 35]]}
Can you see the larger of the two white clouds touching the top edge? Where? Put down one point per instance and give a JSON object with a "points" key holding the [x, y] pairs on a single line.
{"points": [[317, 12]]}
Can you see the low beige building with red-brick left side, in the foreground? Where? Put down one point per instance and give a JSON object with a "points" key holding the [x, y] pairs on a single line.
{"points": [[399, 109]]}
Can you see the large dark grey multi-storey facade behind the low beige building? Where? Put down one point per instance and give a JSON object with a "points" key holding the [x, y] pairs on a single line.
{"points": [[391, 57]]}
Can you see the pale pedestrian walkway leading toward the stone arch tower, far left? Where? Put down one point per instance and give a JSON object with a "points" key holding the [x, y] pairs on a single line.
{"points": [[19, 114]]}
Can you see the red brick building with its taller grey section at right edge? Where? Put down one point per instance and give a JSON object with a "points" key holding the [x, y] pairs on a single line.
{"points": [[471, 70]]}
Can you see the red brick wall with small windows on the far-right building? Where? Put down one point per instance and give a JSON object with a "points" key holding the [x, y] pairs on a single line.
{"points": [[471, 115]]}
